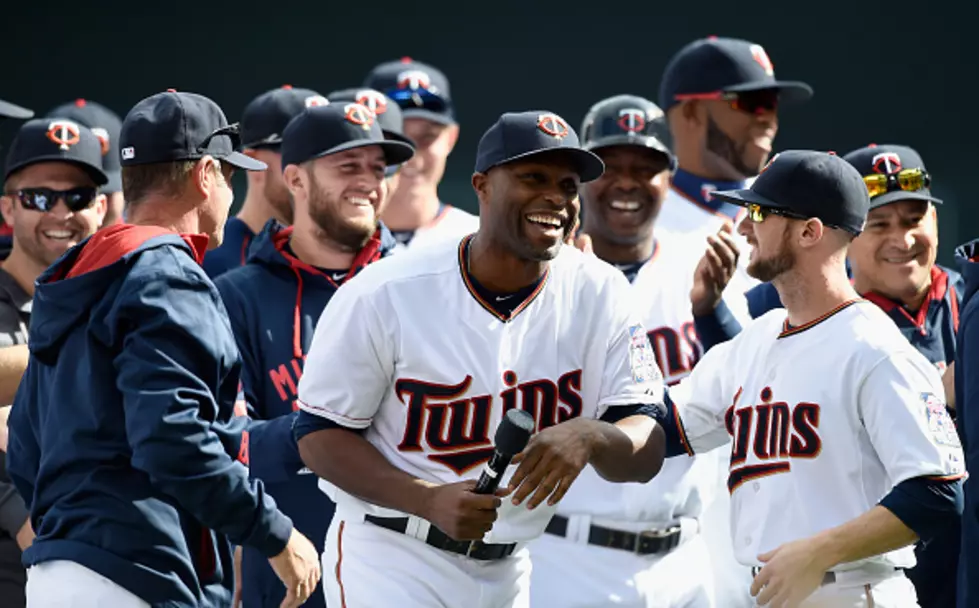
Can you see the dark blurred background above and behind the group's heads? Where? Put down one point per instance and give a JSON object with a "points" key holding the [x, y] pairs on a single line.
{"points": [[896, 72]]}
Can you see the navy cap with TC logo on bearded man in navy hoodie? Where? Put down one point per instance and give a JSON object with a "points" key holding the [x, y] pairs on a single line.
{"points": [[324, 130]]}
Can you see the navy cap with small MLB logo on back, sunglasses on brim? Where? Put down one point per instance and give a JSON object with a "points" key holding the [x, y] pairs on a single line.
{"points": [[173, 126]]}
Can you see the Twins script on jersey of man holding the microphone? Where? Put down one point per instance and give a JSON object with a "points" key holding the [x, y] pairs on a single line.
{"points": [[455, 426]]}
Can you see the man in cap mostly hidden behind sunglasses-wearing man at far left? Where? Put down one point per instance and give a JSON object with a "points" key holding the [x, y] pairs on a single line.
{"points": [[106, 125]]}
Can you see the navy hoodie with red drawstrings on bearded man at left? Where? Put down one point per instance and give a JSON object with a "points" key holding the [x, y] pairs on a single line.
{"points": [[273, 302]]}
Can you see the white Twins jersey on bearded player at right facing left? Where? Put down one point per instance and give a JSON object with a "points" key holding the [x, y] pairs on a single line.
{"points": [[823, 419]]}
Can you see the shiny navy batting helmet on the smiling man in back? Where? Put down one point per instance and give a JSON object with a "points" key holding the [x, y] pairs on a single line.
{"points": [[627, 120]]}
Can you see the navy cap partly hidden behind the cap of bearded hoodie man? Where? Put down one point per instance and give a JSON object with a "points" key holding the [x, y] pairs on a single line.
{"points": [[265, 117]]}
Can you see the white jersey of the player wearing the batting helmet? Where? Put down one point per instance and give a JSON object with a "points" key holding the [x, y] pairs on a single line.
{"points": [[684, 486]]}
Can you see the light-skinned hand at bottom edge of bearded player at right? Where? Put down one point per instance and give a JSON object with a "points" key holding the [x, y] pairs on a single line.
{"points": [[792, 572]]}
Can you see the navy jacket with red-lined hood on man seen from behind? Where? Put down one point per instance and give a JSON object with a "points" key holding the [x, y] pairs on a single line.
{"points": [[123, 439]]}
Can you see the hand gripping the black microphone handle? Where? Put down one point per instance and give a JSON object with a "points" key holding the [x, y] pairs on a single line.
{"points": [[461, 513]]}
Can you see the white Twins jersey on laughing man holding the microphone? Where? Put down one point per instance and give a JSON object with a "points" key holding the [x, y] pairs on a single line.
{"points": [[408, 351]]}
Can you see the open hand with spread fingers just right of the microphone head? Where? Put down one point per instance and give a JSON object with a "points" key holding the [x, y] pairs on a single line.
{"points": [[552, 461]]}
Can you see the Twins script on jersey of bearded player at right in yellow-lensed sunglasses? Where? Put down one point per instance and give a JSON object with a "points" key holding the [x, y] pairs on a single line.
{"points": [[770, 434]]}
